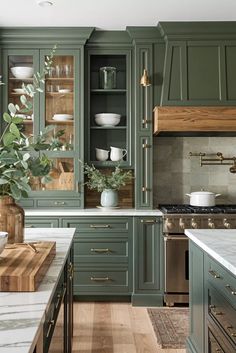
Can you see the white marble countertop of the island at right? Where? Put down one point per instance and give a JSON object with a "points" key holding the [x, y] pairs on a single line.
{"points": [[218, 243]]}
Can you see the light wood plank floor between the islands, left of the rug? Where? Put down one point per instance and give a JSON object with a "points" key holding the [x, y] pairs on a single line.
{"points": [[114, 328]]}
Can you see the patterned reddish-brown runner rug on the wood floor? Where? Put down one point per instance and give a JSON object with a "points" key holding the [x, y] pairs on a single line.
{"points": [[171, 326]]}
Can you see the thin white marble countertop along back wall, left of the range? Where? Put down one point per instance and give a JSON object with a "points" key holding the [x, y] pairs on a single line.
{"points": [[91, 212]]}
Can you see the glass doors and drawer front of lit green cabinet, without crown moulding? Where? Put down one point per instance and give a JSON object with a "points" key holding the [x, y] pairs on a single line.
{"points": [[59, 109]]}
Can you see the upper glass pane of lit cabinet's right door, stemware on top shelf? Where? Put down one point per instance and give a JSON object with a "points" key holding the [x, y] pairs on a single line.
{"points": [[59, 101]]}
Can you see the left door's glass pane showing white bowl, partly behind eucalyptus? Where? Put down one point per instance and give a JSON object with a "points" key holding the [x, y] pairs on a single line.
{"points": [[20, 71]]}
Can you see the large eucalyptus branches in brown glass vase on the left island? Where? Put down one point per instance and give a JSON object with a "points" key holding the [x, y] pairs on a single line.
{"points": [[20, 160]]}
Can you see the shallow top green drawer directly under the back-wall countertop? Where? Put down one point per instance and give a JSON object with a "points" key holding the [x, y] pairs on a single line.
{"points": [[101, 224]]}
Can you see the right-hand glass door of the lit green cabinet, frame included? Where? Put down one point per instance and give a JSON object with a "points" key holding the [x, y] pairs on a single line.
{"points": [[60, 110]]}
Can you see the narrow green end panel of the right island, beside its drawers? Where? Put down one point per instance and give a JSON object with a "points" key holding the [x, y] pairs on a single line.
{"points": [[195, 341]]}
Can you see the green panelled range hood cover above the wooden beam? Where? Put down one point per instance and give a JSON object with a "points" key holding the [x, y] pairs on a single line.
{"points": [[199, 64]]}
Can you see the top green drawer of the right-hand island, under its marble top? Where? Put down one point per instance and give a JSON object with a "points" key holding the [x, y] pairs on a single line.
{"points": [[221, 279]]}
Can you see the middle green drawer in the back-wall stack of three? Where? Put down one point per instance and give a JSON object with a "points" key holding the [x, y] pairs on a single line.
{"points": [[101, 250]]}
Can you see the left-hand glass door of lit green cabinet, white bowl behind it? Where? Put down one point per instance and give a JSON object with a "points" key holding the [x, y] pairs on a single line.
{"points": [[19, 68]]}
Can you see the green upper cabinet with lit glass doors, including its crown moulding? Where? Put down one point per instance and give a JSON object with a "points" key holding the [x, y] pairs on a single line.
{"points": [[61, 105]]}
